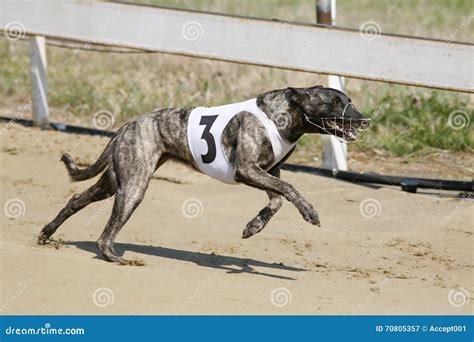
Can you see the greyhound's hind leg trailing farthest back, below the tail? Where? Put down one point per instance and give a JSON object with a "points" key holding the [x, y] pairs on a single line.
{"points": [[104, 188]]}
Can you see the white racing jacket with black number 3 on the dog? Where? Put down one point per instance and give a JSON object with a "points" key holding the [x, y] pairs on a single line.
{"points": [[205, 127]]}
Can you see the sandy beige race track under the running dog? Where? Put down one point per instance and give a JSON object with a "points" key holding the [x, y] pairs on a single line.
{"points": [[379, 251]]}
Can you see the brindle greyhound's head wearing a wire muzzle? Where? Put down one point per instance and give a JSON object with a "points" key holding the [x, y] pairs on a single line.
{"points": [[328, 111]]}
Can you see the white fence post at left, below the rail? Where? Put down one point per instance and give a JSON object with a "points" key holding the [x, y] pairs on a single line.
{"points": [[39, 81]]}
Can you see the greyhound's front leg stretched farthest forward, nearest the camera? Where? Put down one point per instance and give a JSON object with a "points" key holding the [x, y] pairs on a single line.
{"points": [[255, 176]]}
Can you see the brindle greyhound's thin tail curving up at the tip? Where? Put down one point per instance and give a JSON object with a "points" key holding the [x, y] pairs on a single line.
{"points": [[78, 174]]}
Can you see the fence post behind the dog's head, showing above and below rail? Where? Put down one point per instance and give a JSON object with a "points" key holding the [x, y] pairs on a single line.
{"points": [[334, 152]]}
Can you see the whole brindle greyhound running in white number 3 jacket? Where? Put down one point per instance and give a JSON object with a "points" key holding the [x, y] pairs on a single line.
{"points": [[244, 143]]}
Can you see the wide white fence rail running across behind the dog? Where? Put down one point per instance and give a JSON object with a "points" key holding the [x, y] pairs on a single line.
{"points": [[387, 58]]}
